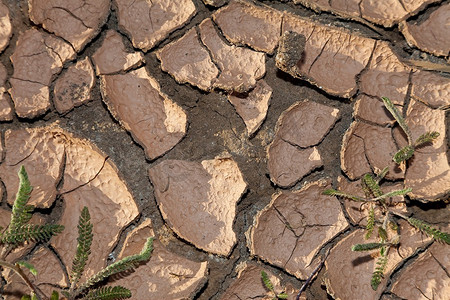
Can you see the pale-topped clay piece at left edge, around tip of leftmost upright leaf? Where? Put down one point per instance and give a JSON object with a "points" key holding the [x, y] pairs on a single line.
{"points": [[42, 155]]}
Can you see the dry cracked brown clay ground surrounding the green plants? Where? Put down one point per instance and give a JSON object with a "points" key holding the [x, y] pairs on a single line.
{"points": [[215, 126]]}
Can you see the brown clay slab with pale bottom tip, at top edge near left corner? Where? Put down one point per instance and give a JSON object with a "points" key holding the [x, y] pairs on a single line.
{"points": [[76, 21]]}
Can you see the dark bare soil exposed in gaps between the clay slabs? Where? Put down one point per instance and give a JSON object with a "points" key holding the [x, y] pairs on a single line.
{"points": [[214, 127]]}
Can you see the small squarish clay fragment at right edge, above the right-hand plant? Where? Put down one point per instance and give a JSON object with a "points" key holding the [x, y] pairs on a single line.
{"points": [[431, 89]]}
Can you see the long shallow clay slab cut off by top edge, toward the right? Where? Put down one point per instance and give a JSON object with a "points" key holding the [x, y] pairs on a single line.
{"points": [[386, 13]]}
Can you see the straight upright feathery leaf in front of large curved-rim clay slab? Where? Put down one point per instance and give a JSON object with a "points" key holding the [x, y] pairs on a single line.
{"points": [[84, 239]]}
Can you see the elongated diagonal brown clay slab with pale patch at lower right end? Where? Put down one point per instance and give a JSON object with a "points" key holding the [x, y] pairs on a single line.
{"points": [[136, 101]]}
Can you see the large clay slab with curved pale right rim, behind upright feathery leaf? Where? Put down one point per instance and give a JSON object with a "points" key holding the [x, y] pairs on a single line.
{"points": [[107, 197]]}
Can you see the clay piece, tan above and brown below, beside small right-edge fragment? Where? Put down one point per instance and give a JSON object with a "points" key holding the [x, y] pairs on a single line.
{"points": [[385, 76]]}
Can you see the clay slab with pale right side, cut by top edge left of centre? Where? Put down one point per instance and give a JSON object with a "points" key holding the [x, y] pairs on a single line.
{"points": [[149, 22]]}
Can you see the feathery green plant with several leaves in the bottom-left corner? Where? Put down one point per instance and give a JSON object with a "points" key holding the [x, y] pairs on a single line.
{"points": [[19, 231]]}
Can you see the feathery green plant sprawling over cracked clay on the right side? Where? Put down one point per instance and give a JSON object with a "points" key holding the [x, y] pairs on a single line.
{"points": [[378, 204]]}
